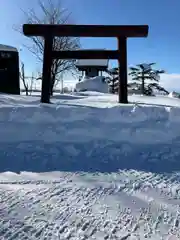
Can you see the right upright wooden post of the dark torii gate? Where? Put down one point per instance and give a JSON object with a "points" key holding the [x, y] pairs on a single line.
{"points": [[122, 64]]}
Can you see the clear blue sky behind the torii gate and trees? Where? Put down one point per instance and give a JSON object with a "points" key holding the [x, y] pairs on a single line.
{"points": [[162, 16]]}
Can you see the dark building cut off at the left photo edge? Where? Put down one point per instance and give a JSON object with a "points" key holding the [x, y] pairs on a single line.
{"points": [[9, 70]]}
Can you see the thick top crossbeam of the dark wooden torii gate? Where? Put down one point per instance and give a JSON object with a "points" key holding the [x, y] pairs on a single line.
{"points": [[85, 30]]}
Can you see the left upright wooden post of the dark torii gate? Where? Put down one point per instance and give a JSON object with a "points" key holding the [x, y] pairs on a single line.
{"points": [[46, 74]]}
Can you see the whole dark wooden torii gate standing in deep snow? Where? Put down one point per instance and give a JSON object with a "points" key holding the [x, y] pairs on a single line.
{"points": [[48, 32]]}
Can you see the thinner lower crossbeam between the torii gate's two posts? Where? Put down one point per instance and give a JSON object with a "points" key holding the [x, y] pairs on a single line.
{"points": [[86, 54]]}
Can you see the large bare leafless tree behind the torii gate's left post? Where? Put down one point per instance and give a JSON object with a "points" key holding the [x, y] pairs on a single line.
{"points": [[52, 13]]}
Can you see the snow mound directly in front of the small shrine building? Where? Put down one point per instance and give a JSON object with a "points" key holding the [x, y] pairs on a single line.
{"points": [[92, 84]]}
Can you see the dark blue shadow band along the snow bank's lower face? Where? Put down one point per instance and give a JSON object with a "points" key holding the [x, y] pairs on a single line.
{"points": [[101, 156]]}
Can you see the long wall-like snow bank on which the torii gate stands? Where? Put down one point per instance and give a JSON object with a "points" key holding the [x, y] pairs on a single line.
{"points": [[92, 133]]}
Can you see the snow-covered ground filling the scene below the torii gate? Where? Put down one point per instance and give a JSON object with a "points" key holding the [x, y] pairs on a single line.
{"points": [[87, 167]]}
